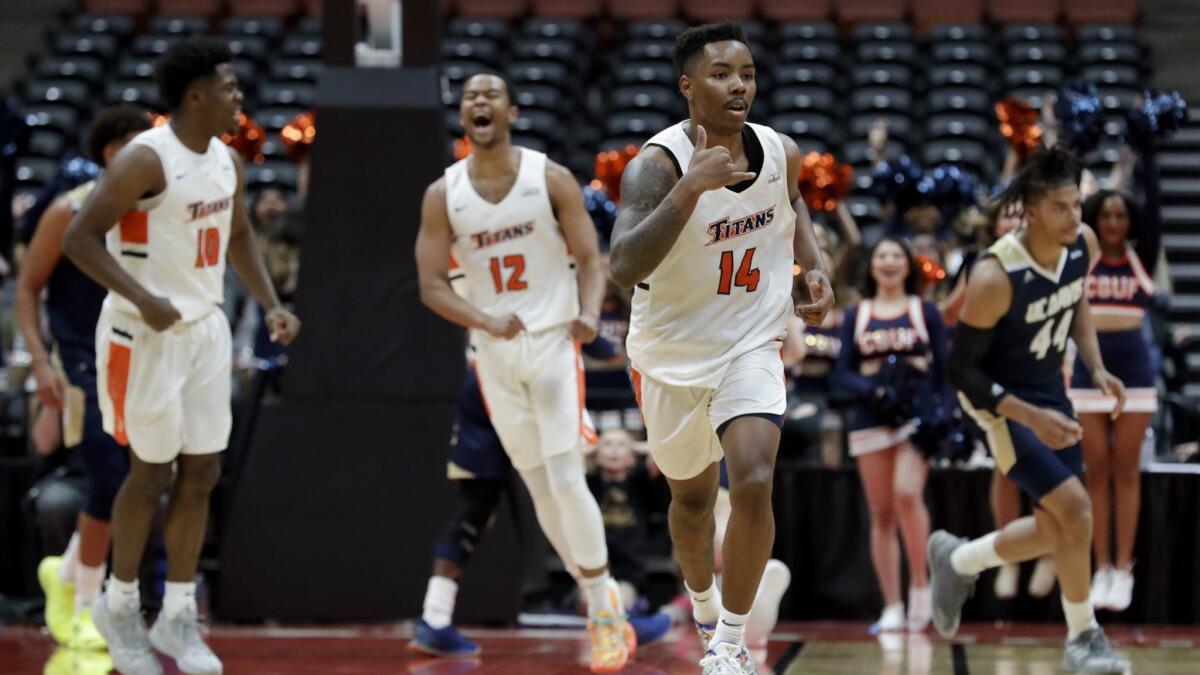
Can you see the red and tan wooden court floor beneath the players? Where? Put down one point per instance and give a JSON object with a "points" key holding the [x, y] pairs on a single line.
{"points": [[819, 648]]}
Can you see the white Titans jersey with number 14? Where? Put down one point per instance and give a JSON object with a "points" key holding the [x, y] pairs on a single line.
{"points": [[725, 289]]}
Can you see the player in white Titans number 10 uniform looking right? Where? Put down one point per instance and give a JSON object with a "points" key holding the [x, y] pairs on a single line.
{"points": [[163, 345]]}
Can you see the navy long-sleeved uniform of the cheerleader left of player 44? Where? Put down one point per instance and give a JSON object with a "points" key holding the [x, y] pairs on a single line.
{"points": [[867, 342]]}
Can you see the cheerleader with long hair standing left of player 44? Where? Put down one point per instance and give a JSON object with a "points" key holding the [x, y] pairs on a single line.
{"points": [[893, 348]]}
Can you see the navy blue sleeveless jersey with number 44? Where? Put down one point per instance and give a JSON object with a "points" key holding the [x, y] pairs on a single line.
{"points": [[1029, 342]]}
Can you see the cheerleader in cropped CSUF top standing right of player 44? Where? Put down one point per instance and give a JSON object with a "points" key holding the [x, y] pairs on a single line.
{"points": [[1120, 290]]}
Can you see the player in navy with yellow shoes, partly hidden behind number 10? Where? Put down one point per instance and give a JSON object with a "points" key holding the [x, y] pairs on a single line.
{"points": [[68, 384]]}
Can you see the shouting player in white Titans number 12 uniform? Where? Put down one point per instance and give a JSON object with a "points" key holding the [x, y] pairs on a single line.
{"points": [[512, 219]]}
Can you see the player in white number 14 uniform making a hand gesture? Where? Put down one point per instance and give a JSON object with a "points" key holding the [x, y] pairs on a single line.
{"points": [[710, 228]]}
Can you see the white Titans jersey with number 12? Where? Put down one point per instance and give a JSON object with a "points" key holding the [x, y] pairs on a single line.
{"points": [[513, 255]]}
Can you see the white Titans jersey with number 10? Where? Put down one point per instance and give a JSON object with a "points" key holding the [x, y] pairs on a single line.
{"points": [[175, 243]]}
